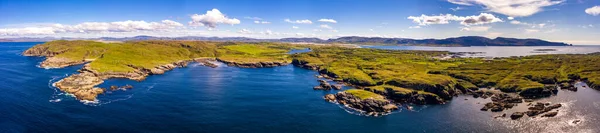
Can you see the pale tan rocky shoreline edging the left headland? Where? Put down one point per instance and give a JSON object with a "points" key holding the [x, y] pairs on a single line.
{"points": [[83, 84]]}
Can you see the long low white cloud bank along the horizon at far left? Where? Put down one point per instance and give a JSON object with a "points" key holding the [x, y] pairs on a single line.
{"points": [[93, 27]]}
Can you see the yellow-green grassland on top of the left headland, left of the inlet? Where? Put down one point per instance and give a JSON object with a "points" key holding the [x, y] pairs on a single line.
{"points": [[120, 57]]}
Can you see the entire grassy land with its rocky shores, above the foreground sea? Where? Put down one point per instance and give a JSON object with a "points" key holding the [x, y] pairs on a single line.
{"points": [[382, 79]]}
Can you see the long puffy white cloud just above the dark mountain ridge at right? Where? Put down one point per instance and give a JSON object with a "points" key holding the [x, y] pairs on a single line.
{"points": [[483, 18]]}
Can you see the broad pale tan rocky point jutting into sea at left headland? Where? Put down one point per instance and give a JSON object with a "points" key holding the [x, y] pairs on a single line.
{"points": [[81, 85]]}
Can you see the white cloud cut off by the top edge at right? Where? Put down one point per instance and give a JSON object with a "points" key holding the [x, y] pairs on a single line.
{"points": [[513, 8]]}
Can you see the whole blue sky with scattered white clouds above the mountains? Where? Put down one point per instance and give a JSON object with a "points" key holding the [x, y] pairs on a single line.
{"points": [[570, 21]]}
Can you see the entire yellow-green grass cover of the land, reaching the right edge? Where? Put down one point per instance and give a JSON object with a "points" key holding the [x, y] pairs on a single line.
{"points": [[399, 72]]}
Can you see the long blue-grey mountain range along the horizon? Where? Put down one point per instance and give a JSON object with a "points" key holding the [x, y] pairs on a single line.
{"points": [[458, 41]]}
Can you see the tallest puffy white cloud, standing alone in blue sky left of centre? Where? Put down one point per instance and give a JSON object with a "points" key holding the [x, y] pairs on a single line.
{"points": [[211, 19]]}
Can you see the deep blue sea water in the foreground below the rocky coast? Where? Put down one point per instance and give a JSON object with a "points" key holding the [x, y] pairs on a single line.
{"points": [[231, 99]]}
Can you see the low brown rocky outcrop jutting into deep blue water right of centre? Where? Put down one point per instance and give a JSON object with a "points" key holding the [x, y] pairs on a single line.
{"points": [[370, 106]]}
